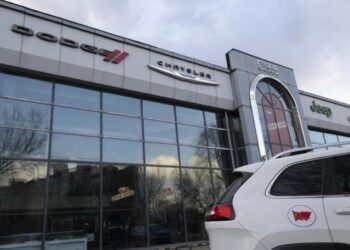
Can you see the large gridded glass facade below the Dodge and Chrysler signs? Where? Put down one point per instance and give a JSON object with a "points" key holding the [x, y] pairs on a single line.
{"points": [[86, 167]]}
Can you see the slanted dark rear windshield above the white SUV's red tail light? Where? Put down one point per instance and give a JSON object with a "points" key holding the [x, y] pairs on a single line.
{"points": [[239, 178]]}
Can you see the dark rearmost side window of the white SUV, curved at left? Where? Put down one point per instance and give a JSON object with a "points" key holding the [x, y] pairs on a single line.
{"points": [[300, 180]]}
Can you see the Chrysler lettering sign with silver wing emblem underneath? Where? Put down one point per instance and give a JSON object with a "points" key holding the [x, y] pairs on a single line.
{"points": [[182, 73]]}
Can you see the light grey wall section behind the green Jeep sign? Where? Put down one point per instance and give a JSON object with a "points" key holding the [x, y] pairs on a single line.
{"points": [[338, 121]]}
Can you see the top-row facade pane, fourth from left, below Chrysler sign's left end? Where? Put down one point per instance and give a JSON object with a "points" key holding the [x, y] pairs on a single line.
{"points": [[159, 111]]}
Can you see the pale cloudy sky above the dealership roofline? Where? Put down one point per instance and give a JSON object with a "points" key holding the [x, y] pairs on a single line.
{"points": [[310, 36]]}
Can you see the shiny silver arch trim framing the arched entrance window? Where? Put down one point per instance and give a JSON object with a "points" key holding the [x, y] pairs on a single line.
{"points": [[255, 111]]}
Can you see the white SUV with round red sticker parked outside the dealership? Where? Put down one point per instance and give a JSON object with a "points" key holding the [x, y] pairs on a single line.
{"points": [[298, 200]]}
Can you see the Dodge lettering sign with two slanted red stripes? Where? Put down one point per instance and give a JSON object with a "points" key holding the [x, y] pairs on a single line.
{"points": [[115, 56]]}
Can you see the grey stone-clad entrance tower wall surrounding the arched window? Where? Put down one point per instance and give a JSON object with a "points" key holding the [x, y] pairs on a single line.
{"points": [[243, 69]]}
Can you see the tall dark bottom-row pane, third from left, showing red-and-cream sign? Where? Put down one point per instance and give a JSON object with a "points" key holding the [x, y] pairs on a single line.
{"points": [[123, 207]]}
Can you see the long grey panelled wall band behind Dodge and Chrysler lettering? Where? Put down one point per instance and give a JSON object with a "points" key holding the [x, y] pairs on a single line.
{"points": [[131, 75]]}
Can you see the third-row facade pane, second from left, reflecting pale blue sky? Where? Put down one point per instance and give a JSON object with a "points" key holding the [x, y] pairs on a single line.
{"points": [[75, 147]]}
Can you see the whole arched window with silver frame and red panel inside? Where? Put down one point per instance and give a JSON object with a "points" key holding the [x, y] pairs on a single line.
{"points": [[276, 116]]}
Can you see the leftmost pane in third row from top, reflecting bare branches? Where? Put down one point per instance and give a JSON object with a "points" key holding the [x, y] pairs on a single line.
{"points": [[23, 143]]}
